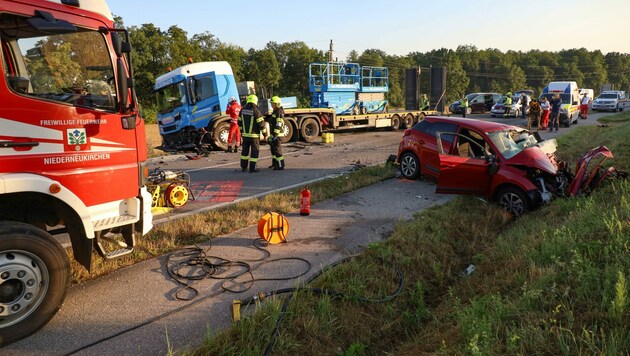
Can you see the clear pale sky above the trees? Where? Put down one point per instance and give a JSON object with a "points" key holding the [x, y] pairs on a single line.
{"points": [[395, 26]]}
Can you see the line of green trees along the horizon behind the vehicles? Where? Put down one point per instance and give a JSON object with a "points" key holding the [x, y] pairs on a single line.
{"points": [[282, 68]]}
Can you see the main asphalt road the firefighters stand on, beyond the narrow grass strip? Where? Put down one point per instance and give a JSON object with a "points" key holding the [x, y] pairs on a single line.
{"points": [[217, 180]]}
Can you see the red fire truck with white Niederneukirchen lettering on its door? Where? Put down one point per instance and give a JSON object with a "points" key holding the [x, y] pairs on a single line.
{"points": [[72, 152]]}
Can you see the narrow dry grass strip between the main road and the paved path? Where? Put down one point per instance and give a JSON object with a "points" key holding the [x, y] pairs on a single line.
{"points": [[204, 226]]}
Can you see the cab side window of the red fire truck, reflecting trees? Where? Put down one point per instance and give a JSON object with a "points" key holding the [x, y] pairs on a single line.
{"points": [[73, 68]]}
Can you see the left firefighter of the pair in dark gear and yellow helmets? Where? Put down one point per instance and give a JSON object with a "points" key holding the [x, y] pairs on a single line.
{"points": [[252, 126]]}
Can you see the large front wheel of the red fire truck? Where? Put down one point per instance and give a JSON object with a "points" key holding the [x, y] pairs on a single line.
{"points": [[34, 275]]}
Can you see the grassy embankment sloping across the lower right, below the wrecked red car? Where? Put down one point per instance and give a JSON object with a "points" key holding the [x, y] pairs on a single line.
{"points": [[554, 281]]}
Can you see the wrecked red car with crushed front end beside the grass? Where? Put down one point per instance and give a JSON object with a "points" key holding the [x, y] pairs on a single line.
{"points": [[502, 163]]}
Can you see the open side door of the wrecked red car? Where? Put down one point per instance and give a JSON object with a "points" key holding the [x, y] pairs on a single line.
{"points": [[466, 169]]}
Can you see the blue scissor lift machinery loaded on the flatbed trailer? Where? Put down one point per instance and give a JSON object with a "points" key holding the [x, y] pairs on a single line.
{"points": [[348, 88]]}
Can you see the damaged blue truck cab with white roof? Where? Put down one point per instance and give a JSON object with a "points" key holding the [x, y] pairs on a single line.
{"points": [[191, 99]]}
